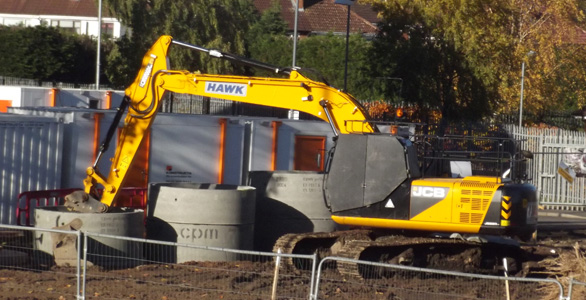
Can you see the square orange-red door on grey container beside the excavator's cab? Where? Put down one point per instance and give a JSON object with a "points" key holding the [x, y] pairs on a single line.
{"points": [[309, 153]]}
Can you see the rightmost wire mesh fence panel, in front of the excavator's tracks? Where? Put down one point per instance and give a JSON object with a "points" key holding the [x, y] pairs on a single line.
{"points": [[387, 281]]}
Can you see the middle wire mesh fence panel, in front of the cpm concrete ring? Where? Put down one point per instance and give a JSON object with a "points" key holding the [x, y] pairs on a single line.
{"points": [[155, 275]]}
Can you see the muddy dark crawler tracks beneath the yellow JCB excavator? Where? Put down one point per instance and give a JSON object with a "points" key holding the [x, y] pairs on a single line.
{"points": [[426, 252]]}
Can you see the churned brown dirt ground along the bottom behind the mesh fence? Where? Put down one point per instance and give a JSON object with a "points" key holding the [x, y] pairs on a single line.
{"points": [[556, 254]]}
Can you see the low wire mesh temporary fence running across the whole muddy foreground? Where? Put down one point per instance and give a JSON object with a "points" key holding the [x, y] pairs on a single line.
{"points": [[101, 266]]}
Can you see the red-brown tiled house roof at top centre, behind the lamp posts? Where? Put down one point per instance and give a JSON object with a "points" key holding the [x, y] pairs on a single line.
{"points": [[324, 16]]}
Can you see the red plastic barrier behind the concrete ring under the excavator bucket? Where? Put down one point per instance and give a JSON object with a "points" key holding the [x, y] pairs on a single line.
{"points": [[130, 197]]}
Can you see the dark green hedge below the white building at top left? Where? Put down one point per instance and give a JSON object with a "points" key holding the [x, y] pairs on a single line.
{"points": [[45, 53]]}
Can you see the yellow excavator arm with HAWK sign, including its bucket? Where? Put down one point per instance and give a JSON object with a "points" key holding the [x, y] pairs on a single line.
{"points": [[143, 97]]}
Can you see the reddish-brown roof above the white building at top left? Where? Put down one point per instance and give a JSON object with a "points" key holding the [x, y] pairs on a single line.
{"points": [[79, 8]]}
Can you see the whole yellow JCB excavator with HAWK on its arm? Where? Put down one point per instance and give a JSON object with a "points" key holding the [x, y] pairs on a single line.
{"points": [[374, 180]]}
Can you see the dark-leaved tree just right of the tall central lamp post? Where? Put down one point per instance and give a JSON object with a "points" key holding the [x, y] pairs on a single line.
{"points": [[433, 70]]}
